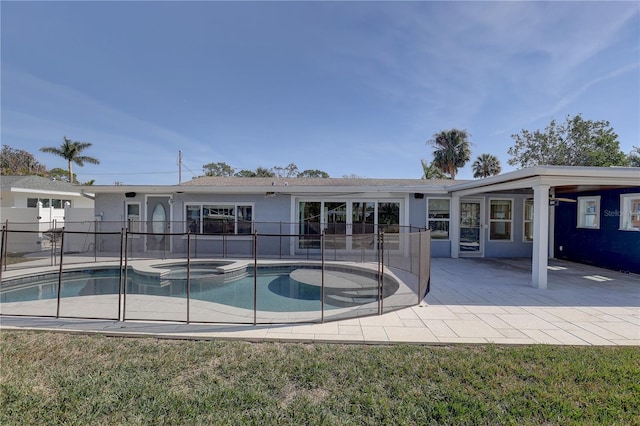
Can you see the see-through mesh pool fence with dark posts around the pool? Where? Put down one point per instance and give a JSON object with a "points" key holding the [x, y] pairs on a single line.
{"points": [[352, 274]]}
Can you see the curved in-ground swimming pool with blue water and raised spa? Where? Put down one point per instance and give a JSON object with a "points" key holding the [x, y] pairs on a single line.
{"points": [[280, 288]]}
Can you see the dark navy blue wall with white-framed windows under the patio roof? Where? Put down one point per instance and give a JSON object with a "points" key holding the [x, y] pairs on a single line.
{"points": [[607, 247]]}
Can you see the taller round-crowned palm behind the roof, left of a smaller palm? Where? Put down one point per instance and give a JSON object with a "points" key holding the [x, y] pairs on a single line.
{"points": [[452, 150]]}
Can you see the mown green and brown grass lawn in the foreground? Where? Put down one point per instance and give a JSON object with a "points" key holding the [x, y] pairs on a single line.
{"points": [[49, 378]]}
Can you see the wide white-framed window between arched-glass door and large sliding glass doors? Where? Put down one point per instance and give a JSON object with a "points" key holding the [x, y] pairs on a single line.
{"points": [[217, 219]]}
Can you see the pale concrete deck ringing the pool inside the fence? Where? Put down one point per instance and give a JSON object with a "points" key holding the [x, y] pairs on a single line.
{"points": [[167, 308]]}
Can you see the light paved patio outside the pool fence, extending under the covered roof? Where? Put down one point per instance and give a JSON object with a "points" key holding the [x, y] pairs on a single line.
{"points": [[471, 301]]}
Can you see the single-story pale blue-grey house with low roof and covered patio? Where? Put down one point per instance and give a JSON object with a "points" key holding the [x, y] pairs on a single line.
{"points": [[583, 214]]}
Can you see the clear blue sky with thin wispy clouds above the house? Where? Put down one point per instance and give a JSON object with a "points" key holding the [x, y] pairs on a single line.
{"points": [[351, 88]]}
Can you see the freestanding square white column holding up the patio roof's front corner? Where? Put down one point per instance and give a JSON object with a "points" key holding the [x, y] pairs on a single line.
{"points": [[540, 256]]}
